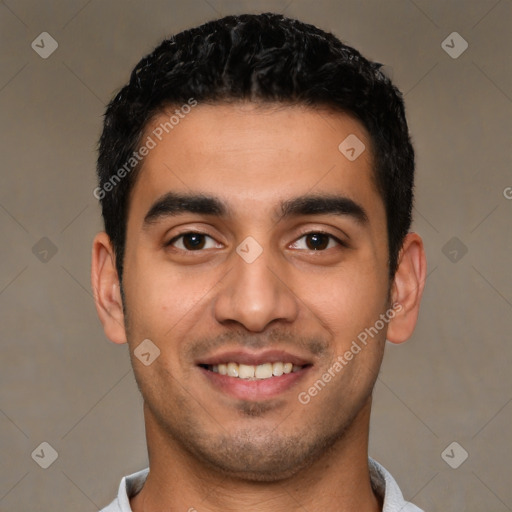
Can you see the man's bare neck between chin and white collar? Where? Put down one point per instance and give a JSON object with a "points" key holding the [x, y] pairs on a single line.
{"points": [[339, 480]]}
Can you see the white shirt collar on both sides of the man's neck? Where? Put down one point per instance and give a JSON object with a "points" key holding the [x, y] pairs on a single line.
{"points": [[382, 483]]}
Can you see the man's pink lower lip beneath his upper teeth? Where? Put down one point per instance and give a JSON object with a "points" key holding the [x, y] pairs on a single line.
{"points": [[245, 389]]}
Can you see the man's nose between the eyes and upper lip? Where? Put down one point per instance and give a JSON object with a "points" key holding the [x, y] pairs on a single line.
{"points": [[255, 294]]}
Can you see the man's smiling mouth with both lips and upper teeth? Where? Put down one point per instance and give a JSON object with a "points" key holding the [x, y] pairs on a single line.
{"points": [[255, 377]]}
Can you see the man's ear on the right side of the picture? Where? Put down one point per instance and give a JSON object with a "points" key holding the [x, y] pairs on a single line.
{"points": [[407, 288]]}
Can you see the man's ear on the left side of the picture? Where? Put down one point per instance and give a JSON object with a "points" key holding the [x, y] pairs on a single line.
{"points": [[106, 289]]}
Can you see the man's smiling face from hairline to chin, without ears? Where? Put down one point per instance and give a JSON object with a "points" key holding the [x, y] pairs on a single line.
{"points": [[253, 275]]}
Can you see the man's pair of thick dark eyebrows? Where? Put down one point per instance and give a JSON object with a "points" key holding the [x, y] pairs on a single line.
{"points": [[172, 204]]}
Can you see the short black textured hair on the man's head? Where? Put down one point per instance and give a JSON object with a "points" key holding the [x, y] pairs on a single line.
{"points": [[265, 58]]}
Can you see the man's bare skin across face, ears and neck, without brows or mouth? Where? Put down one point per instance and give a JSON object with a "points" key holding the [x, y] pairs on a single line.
{"points": [[209, 450]]}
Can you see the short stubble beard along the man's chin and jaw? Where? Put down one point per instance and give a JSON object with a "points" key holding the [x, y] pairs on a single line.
{"points": [[253, 454]]}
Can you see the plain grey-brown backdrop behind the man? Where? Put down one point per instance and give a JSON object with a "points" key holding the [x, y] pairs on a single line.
{"points": [[64, 383]]}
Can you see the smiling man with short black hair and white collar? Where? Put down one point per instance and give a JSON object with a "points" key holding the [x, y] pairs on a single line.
{"points": [[255, 178]]}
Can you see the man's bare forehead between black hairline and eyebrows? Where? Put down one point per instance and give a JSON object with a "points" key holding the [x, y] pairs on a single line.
{"points": [[252, 156]]}
